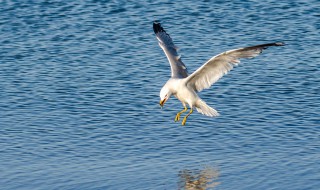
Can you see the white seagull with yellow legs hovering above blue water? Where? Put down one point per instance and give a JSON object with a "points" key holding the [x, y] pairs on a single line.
{"points": [[185, 87]]}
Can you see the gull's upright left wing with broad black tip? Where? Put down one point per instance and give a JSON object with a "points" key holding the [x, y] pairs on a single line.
{"points": [[178, 69]]}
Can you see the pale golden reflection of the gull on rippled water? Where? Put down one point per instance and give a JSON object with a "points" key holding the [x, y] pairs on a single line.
{"points": [[198, 179]]}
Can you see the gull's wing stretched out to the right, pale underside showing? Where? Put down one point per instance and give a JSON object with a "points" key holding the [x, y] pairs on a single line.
{"points": [[217, 66]]}
